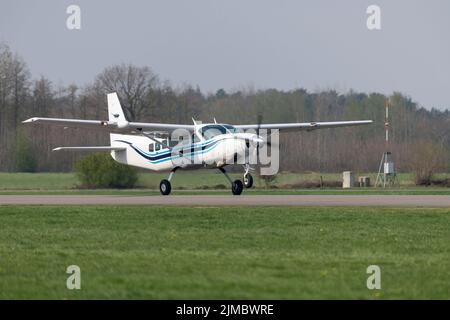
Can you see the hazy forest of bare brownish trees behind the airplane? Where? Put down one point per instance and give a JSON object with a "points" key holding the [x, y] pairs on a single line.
{"points": [[420, 138]]}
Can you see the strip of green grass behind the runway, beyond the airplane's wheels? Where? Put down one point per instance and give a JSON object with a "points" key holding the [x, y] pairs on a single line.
{"points": [[199, 182]]}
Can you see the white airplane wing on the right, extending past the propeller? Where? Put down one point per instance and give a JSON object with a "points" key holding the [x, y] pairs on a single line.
{"points": [[308, 126]]}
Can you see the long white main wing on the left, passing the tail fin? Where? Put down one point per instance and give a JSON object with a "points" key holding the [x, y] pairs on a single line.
{"points": [[110, 126]]}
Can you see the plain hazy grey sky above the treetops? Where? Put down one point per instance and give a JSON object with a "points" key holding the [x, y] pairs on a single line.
{"points": [[234, 43]]}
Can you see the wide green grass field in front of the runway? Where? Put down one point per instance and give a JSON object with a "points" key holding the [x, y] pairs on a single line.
{"points": [[204, 253]]}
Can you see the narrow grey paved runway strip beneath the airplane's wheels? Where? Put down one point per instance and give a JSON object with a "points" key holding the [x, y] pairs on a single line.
{"points": [[243, 200]]}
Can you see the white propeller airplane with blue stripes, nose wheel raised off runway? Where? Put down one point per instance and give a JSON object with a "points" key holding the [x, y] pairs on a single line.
{"points": [[214, 145]]}
